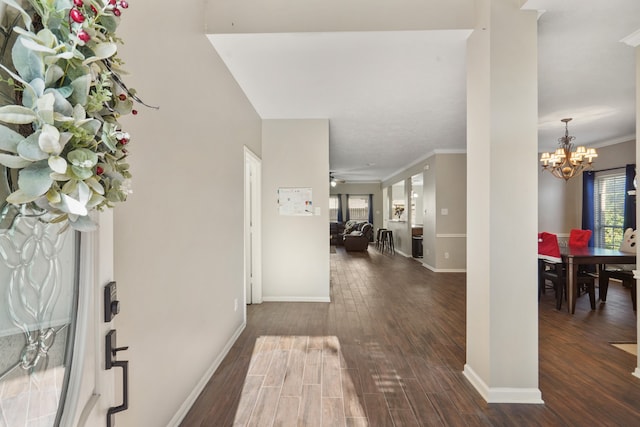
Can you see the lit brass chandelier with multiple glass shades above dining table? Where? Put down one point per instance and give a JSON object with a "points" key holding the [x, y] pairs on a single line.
{"points": [[564, 162]]}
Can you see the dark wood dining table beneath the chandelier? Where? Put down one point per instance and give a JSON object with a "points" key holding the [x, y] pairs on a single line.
{"points": [[573, 257]]}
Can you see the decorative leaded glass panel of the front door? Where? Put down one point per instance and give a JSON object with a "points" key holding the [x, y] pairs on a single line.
{"points": [[38, 300]]}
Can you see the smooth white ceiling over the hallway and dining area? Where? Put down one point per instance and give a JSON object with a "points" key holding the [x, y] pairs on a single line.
{"points": [[393, 98]]}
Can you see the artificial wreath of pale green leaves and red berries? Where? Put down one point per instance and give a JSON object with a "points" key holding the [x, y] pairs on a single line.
{"points": [[61, 93]]}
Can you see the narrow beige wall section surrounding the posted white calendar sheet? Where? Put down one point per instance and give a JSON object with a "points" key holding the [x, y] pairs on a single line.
{"points": [[295, 249]]}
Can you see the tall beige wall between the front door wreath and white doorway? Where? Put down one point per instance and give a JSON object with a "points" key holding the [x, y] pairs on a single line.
{"points": [[179, 237]]}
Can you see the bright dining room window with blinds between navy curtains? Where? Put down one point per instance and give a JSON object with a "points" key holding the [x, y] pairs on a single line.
{"points": [[609, 210]]}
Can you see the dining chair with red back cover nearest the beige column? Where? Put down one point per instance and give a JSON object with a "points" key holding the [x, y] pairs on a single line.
{"points": [[551, 268]]}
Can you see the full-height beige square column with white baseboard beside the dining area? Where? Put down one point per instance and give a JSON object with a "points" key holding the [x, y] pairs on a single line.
{"points": [[502, 168]]}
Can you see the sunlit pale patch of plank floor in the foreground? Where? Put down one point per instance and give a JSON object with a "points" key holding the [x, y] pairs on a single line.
{"points": [[300, 380]]}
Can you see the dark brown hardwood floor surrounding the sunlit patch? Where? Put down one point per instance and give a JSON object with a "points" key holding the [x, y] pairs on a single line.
{"points": [[401, 330]]}
